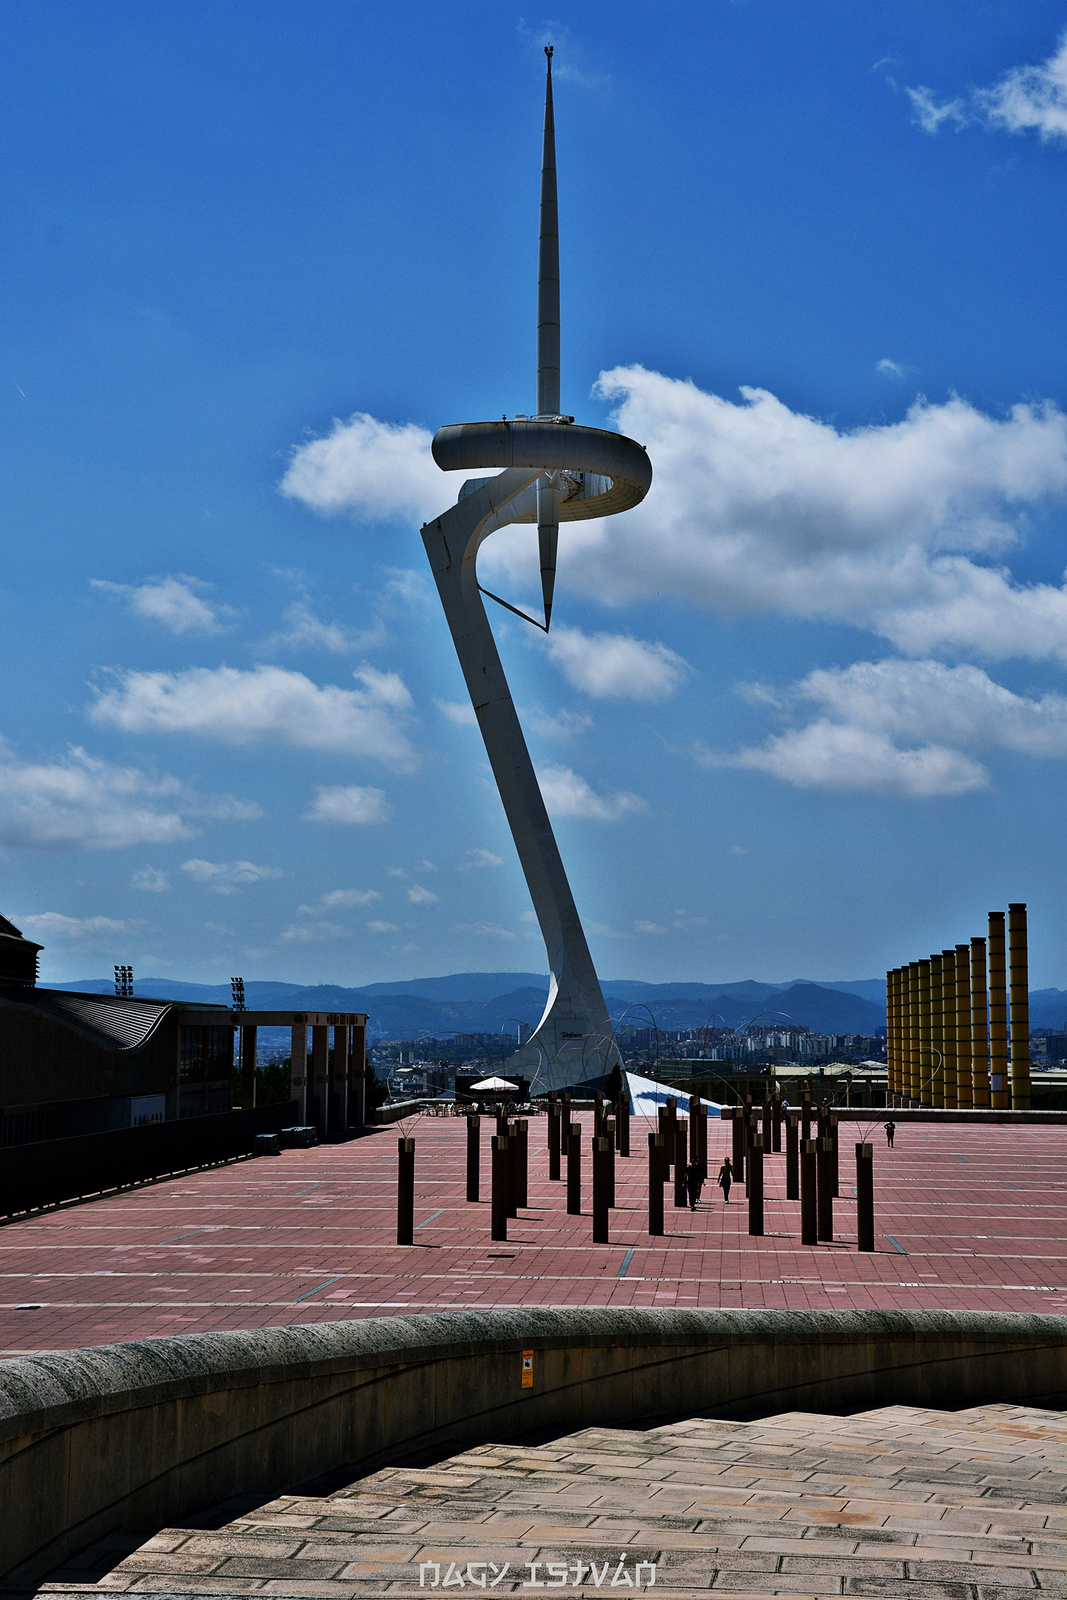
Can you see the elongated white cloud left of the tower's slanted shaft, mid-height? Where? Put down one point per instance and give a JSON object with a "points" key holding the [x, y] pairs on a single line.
{"points": [[266, 705]]}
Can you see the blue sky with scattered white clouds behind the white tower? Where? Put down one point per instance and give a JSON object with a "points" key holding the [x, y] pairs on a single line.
{"points": [[802, 714]]}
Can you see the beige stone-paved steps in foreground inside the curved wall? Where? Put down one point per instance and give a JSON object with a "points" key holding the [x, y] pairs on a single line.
{"points": [[895, 1503]]}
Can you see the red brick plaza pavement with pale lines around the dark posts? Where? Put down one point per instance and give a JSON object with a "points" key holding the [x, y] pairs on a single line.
{"points": [[965, 1218]]}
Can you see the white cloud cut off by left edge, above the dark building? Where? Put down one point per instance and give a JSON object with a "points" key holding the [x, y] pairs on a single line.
{"points": [[92, 804]]}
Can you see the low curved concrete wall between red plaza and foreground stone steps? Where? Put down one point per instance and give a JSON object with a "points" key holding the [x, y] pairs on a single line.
{"points": [[150, 1431]]}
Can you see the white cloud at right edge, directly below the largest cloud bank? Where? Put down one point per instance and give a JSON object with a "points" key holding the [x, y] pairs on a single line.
{"points": [[905, 729]]}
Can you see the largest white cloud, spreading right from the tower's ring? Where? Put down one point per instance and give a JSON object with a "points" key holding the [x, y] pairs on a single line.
{"points": [[757, 510]]}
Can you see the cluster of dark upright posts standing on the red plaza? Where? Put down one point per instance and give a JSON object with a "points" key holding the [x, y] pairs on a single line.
{"points": [[812, 1166]]}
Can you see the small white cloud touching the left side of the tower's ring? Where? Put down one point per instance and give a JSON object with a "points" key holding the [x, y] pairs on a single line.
{"points": [[374, 470]]}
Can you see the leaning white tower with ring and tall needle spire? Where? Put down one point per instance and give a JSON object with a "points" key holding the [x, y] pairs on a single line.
{"points": [[554, 471]]}
